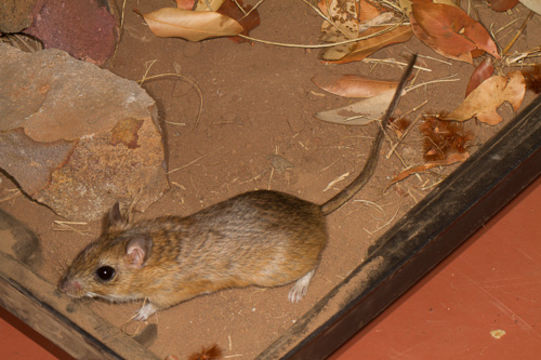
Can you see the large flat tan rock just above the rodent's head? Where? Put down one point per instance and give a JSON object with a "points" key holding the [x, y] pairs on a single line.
{"points": [[78, 138]]}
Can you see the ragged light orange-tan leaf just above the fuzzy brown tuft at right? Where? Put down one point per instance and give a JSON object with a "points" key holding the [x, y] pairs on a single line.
{"points": [[484, 101]]}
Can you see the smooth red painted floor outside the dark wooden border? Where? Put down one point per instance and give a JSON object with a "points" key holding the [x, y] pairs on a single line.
{"points": [[483, 302]]}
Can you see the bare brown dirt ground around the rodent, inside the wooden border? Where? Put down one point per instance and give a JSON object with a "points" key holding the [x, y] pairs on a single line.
{"points": [[257, 131]]}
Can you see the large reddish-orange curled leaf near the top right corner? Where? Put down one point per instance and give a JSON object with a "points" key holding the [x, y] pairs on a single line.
{"points": [[449, 31]]}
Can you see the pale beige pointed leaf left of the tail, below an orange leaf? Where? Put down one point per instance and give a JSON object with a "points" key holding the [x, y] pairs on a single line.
{"points": [[361, 112]]}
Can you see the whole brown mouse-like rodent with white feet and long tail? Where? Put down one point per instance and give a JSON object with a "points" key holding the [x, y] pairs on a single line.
{"points": [[262, 238]]}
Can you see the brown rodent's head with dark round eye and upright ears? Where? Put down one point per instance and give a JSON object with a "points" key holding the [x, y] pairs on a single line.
{"points": [[109, 267]]}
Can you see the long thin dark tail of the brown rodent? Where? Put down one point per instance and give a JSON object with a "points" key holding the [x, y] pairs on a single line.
{"points": [[357, 184]]}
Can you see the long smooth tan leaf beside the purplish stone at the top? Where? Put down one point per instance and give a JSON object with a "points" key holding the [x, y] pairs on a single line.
{"points": [[191, 25]]}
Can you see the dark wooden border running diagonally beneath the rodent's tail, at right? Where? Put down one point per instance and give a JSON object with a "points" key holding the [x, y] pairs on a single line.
{"points": [[427, 234]]}
